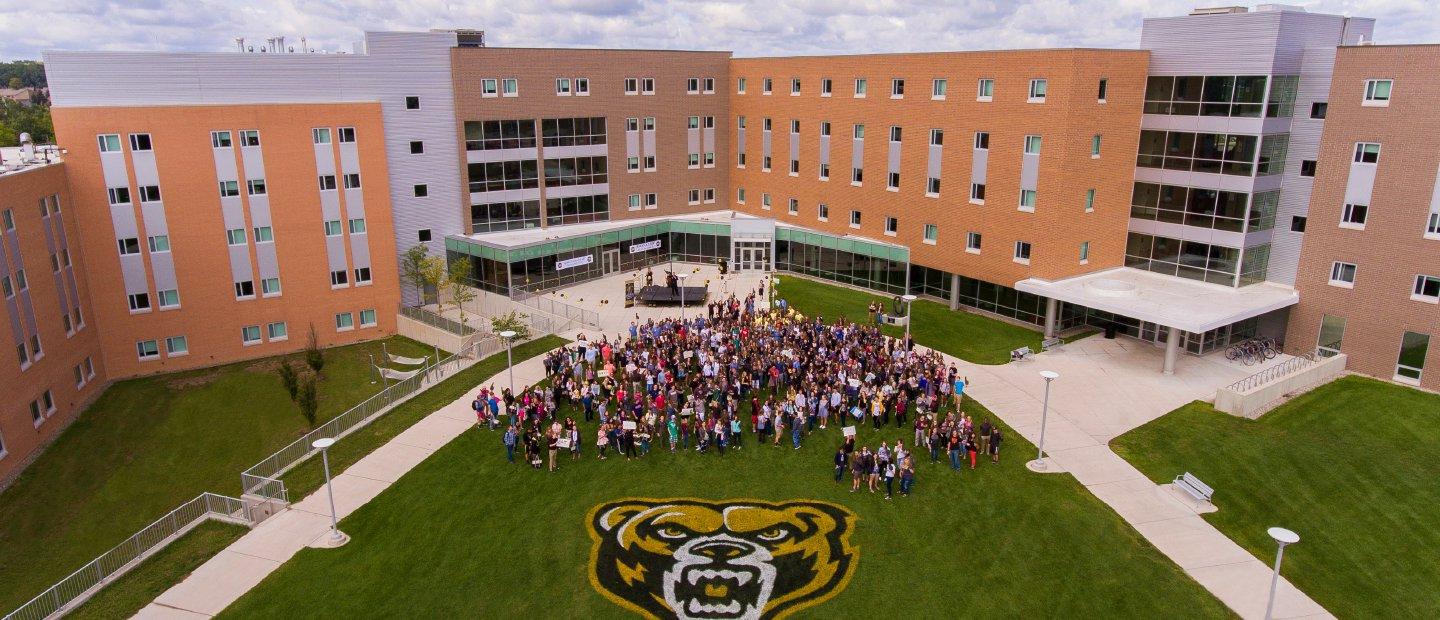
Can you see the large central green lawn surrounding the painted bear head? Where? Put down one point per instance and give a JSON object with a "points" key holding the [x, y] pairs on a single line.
{"points": [[469, 536]]}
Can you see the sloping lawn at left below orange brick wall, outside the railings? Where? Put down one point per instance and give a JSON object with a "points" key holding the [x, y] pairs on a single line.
{"points": [[150, 444]]}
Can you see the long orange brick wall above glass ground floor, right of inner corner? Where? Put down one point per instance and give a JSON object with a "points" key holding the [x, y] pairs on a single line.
{"points": [[1066, 122]]}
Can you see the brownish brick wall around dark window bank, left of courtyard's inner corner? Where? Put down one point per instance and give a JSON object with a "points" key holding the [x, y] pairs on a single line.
{"points": [[607, 71]]}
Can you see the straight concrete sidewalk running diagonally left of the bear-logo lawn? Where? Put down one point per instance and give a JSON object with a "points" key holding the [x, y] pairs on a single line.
{"points": [[240, 567]]}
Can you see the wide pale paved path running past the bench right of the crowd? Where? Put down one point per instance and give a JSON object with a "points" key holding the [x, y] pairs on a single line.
{"points": [[1105, 389]]}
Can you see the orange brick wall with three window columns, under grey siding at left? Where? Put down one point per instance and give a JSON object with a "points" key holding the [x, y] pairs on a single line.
{"points": [[210, 317]]}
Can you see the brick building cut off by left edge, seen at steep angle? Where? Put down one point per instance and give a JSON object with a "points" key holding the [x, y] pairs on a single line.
{"points": [[55, 366]]}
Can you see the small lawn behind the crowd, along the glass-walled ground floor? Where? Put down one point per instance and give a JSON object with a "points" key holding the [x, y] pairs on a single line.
{"points": [[967, 336]]}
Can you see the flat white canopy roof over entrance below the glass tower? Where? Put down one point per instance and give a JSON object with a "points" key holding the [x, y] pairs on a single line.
{"points": [[1186, 304]]}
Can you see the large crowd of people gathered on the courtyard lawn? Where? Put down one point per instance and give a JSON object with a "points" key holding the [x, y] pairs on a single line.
{"points": [[739, 376]]}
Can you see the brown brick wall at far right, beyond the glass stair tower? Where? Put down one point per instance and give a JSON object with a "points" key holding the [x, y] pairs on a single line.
{"points": [[1392, 250]]}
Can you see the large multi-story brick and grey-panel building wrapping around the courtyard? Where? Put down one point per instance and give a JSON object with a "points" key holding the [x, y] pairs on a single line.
{"points": [[224, 204]]}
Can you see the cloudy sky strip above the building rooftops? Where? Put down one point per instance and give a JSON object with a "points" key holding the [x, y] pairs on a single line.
{"points": [[750, 28]]}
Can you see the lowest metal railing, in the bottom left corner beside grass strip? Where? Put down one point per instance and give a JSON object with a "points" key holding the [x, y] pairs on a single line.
{"points": [[80, 586]]}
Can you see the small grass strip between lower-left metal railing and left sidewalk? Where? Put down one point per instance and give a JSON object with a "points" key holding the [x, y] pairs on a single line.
{"points": [[129, 595]]}
